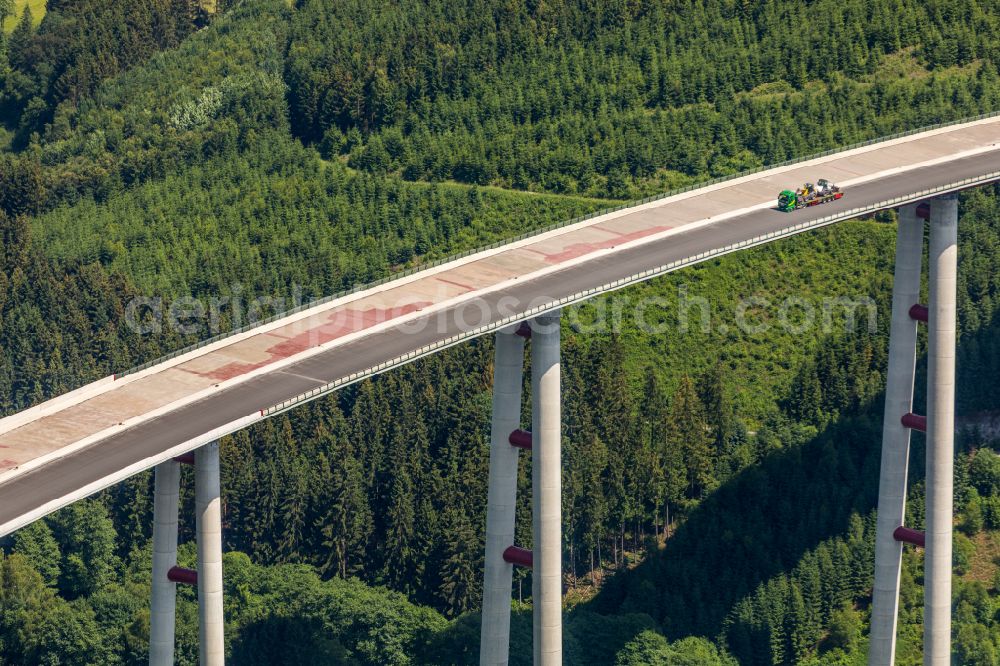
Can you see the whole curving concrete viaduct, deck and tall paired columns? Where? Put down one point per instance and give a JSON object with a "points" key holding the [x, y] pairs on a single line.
{"points": [[173, 411]]}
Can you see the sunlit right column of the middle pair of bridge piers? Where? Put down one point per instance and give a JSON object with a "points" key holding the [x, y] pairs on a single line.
{"points": [[546, 491]]}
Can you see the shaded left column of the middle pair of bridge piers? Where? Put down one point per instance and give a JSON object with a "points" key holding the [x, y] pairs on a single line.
{"points": [[501, 502]]}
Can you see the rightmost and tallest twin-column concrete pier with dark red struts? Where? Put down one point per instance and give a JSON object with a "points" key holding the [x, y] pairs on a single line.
{"points": [[939, 424]]}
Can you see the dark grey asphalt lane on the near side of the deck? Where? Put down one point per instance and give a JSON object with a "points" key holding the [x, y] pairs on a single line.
{"points": [[67, 475]]}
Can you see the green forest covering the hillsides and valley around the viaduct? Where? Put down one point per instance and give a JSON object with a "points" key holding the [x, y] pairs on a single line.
{"points": [[718, 508]]}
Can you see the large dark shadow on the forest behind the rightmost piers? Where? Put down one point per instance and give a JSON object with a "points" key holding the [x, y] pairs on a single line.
{"points": [[760, 523]]}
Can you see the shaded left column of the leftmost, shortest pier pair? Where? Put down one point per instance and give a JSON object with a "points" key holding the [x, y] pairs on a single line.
{"points": [[163, 599]]}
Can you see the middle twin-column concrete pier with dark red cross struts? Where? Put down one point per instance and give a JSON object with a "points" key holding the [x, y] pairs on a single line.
{"points": [[545, 443]]}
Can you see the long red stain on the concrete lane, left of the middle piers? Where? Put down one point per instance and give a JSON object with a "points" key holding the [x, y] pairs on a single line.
{"points": [[337, 325]]}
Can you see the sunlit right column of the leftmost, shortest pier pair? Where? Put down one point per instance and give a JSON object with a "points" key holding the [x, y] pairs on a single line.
{"points": [[208, 510]]}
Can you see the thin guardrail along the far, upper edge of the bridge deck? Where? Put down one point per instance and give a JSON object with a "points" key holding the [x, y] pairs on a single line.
{"points": [[537, 232]]}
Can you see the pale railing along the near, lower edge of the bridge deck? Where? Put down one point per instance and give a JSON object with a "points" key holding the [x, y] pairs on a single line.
{"points": [[619, 284]]}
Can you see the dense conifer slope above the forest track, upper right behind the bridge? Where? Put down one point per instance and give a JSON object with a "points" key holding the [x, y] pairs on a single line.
{"points": [[615, 98]]}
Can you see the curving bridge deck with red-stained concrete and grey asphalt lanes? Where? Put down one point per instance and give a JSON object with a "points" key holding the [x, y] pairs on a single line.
{"points": [[73, 445]]}
